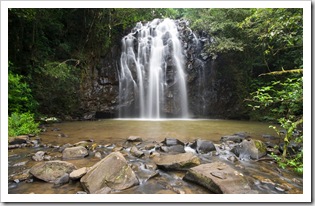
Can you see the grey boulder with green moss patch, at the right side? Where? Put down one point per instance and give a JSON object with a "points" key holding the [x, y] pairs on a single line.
{"points": [[250, 149]]}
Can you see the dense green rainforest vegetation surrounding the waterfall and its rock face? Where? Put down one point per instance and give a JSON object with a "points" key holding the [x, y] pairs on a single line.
{"points": [[51, 50]]}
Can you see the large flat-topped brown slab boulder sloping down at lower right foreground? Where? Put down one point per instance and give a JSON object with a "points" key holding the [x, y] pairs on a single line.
{"points": [[219, 178]]}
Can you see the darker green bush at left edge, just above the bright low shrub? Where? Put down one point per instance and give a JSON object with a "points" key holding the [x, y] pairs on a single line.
{"points": [[20, 95]]}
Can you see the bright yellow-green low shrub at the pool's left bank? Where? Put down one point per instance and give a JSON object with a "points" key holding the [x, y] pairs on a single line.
{"points": [[21, 124]]}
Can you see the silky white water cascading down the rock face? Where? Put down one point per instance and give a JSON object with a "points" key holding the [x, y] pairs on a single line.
{"points": [[152, 81]]}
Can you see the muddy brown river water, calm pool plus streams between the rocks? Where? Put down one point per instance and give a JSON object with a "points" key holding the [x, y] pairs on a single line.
{"points": [[113, 133]]}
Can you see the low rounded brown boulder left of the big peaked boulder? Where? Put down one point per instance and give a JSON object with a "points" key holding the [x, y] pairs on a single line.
{"points": [[52, 170]]}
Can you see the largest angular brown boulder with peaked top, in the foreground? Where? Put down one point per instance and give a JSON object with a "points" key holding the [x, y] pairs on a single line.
{"points": [[112, 171]]}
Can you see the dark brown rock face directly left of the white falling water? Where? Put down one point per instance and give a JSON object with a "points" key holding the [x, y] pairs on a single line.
{"points": [[100, 88]]}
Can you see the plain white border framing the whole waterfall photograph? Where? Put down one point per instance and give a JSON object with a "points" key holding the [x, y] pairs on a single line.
{"points": [[305, 197]]}
